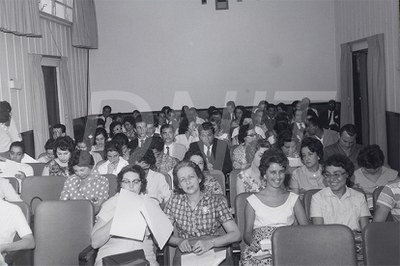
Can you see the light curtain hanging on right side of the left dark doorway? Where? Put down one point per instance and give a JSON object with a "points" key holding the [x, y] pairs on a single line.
{"points": [[66, 96]]}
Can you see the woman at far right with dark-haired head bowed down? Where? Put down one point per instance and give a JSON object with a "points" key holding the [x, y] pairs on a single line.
{"points": [[372, 173]]}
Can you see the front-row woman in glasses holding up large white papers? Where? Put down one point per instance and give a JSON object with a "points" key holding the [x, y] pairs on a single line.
{"points": [[131, 178]]}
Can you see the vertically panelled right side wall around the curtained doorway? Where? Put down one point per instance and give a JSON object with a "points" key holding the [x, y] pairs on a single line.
{"points": [[358, 19]]}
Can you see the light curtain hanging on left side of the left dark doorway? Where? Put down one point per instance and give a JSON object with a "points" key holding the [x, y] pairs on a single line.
{"points": [[37, 95]]}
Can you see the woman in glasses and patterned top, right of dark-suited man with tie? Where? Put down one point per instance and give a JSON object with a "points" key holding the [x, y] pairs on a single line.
{"points": [[246, 137]]}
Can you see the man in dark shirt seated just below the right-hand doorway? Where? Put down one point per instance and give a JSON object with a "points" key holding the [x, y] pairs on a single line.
{"points": [[346, 145]]}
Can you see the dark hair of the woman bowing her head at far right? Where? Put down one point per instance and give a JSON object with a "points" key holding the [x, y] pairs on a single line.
{"points": [[371, 157]]}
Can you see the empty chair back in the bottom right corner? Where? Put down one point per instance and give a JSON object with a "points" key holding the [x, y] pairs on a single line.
{"points": [[382, 244]]}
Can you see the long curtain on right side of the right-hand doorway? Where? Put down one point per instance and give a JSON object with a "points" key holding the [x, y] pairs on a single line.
{"points": [[377, 91]]}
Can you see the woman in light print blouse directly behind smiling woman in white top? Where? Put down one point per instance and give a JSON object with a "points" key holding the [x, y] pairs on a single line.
{"points": [[249, 180]]}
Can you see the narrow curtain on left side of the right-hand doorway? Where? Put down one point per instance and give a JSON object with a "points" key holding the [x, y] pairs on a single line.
{"points": [[346, 85]]}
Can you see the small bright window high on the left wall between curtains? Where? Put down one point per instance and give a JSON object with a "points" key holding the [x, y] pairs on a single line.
{"points": [[58, 8]]}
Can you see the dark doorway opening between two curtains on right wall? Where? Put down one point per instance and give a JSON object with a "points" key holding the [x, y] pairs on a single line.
{"points": [[360, 95]]}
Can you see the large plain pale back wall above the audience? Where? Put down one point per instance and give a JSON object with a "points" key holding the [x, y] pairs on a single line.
{"points": [[155, 52]]}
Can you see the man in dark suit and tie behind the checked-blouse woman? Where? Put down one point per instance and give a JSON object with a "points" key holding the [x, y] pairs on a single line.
{"points": [[214, 150]]}
